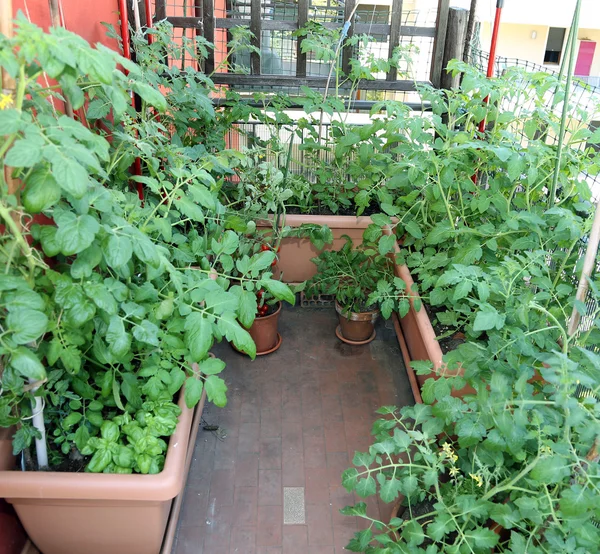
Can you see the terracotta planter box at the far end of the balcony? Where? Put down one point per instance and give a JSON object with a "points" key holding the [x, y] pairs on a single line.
{"points": [[294, 258]]}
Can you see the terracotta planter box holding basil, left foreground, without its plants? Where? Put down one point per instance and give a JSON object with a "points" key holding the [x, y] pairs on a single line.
{"points": [[76, 513]]}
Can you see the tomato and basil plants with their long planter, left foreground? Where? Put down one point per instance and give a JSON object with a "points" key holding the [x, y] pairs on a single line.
{"points": [[108, 328]]}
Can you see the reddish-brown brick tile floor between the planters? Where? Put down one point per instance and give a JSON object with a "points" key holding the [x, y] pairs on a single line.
{"points": [[293, 419]]}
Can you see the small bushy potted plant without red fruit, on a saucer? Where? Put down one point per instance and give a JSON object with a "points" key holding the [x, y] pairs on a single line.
{"points": [[363, 283]]}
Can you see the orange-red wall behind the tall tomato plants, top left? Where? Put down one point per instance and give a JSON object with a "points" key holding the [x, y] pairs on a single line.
{"points": [[83, 17]]}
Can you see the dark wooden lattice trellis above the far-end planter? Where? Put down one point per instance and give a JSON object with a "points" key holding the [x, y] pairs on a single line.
{"points": [[206, 19]]}
